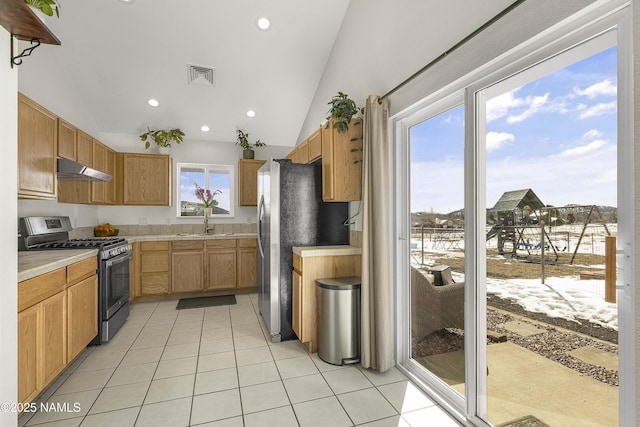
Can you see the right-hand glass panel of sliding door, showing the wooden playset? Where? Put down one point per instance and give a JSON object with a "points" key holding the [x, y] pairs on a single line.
{"points": [[550, 193]]}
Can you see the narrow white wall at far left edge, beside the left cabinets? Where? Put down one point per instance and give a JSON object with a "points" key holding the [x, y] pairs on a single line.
{"points": [[8, 230]]}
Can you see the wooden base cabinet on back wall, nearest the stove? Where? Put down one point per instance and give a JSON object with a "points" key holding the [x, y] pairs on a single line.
{"points": [[154, 268]]}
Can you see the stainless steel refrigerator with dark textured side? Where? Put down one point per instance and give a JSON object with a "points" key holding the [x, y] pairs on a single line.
{"points": [[291, 213]]}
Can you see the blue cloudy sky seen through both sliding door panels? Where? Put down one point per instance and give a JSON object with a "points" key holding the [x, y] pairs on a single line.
{"points": [[555, 135]]}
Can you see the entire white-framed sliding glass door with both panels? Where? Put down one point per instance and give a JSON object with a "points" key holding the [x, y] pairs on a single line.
{"points": [[512, 214]]}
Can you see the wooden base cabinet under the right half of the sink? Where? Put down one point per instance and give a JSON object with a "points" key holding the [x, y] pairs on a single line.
{"points": [[221, 264]]}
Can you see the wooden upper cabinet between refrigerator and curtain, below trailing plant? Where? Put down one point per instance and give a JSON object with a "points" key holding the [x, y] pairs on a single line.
{"points": [[342, 163]]}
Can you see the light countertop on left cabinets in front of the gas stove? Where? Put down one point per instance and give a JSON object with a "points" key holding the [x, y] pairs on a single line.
{"points": [[35, 263]]}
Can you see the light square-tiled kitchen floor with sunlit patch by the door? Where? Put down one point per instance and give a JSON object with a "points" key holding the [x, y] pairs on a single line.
{"points": [[214, 367]]}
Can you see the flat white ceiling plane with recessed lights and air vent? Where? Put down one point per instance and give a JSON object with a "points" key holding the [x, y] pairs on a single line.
{"points": [[116, 55]]}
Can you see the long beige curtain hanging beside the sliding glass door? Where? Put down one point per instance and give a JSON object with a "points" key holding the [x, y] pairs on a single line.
{"points": [[376, 291]]}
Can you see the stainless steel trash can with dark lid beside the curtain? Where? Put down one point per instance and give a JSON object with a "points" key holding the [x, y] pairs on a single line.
{"points": [[338, 302]]}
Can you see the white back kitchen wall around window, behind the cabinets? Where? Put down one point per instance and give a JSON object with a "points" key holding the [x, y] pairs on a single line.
{"points": [[190, 151]]}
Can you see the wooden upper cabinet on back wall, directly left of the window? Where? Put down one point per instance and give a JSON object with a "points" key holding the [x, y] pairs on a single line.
{"points": [[146, 179]]}
